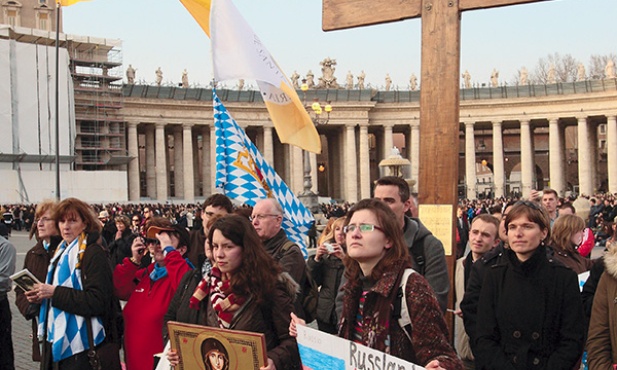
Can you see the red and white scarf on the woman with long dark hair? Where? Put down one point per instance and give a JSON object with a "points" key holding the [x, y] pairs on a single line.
{"points": [[225, 304]]}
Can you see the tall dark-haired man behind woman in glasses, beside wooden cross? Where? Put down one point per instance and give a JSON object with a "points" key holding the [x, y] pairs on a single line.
{"points": [[428, 256]]}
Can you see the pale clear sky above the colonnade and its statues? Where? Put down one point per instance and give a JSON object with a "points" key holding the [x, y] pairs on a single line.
{"points": [[161, 33]]}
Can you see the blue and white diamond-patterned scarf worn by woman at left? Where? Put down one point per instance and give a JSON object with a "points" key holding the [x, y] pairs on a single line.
{"points": [[67, 332]]}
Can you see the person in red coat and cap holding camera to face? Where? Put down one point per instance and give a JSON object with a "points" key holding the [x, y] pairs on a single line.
{"points": [[149, 290]]}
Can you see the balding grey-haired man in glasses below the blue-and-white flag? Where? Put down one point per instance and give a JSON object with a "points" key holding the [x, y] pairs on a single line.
{"points": [[267, 219]]}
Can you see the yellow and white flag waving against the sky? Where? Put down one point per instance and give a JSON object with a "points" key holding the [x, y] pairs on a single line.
{"points": [[238, 53]]}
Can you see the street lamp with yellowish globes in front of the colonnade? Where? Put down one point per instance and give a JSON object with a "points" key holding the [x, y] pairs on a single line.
{"points": [[315, 111]]}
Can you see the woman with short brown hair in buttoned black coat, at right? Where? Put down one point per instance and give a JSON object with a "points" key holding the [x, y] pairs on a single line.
{"points": [[530, 312]]}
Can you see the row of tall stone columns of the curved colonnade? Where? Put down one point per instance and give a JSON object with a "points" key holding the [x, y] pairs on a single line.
{"points": [[349, 156]]}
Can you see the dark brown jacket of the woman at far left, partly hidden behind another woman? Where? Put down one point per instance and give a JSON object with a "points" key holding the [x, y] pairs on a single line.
{"points": [[36, 261]]}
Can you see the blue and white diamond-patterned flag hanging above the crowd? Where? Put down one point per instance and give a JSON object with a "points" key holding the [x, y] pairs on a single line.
{"points": [[244, 175]]}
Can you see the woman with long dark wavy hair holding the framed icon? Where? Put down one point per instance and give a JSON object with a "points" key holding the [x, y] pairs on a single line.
{"points": [[245, 291]]}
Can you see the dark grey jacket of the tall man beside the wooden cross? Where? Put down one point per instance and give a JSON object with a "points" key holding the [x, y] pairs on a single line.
{"points": [[435, 267]]}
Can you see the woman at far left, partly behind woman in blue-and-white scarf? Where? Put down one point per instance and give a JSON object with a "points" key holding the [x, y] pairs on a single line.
{"points": [[37, 260]]}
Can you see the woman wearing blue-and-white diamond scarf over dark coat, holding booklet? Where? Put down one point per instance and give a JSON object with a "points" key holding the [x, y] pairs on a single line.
{"points": [[77, 309]]}
